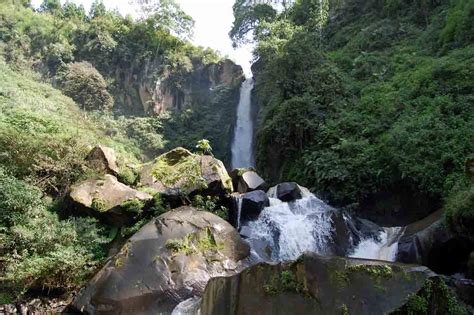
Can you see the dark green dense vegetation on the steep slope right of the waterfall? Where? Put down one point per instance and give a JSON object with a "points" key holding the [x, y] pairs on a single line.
{"points": [[368, 103]]}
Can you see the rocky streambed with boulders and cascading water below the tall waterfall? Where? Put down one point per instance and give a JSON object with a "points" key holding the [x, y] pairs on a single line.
{"points": [[277, 250]]}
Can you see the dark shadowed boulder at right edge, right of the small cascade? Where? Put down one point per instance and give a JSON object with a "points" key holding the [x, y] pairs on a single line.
{"points": [[428, 242]]}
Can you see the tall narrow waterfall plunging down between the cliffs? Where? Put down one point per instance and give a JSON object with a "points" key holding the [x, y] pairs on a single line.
{"points": [[242, 149]]}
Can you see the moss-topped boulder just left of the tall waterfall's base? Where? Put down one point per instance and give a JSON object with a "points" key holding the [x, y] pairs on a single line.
{"points": [[180, 172]]}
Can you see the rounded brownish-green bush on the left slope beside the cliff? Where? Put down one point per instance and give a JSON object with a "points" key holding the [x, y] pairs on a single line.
{"points": [[85, 85]]}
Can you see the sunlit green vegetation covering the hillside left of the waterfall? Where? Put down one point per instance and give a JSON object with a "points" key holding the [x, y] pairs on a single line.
{"points": [[58, 51]]}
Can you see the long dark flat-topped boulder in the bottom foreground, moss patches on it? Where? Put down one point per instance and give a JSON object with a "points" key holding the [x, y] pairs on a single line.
{"points": [[324, 285]]}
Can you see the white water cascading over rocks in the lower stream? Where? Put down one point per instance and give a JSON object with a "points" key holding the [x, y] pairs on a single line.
{"points": [[284, 231]]}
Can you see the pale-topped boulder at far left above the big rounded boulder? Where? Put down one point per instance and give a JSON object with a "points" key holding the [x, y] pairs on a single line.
{"points": [[108, 199]]}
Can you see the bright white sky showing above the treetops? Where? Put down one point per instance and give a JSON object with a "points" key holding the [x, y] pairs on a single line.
{"points": [[213, 22]]}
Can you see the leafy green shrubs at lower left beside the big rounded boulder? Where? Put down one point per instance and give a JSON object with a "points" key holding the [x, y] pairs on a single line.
{"points": [[39, 250]]}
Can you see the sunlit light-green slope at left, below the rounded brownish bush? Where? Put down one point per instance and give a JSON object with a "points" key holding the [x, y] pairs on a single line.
{"points": [[44, 136]]}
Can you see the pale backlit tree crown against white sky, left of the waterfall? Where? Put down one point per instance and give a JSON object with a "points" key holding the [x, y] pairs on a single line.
{"points": [[168, 15]]}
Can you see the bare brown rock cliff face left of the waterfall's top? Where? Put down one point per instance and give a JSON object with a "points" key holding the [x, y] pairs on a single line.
{"points": [[174, 91]]}
